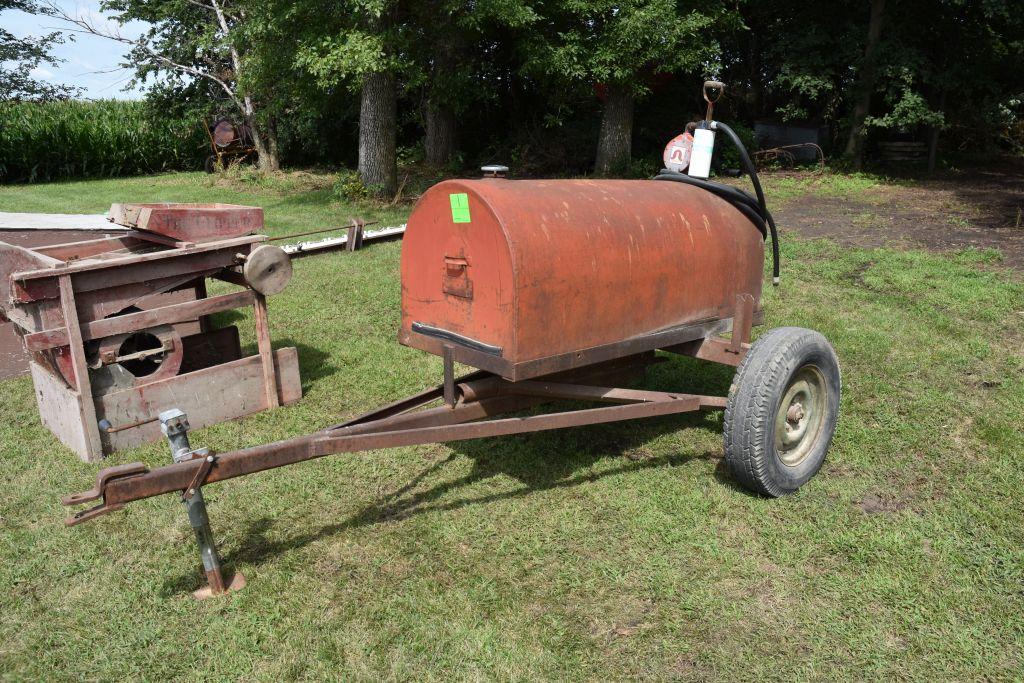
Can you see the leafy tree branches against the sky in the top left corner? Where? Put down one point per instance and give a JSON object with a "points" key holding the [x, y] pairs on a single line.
{"points": [[20, 57]]}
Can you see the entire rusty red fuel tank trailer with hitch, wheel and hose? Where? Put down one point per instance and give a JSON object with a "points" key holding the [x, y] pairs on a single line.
{"points": [[562, 290]]}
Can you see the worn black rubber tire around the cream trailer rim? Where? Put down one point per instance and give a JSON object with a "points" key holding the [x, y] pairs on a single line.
{"points": [[758, 390]]}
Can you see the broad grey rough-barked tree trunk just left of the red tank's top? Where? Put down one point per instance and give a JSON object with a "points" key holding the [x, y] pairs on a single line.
{"points": [[377, 135]]}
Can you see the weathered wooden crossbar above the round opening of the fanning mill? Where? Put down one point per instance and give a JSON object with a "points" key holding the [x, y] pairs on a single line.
{"points": [[110, 327]]}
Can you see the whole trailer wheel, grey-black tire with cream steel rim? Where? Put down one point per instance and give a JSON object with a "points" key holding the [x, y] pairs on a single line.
{"points": [[783, 410]]}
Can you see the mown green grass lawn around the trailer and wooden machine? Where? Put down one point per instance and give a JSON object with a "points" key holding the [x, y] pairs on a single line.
{"points": [[612, 553]]}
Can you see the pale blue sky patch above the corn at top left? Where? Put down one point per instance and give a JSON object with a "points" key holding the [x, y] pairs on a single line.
{"points": [[90, 63]]}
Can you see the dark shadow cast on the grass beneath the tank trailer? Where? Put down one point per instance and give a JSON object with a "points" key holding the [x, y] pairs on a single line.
{"points": [[532, 459]]}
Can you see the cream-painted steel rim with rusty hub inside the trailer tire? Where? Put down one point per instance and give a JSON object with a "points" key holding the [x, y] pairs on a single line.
{"points": [[800, 416]]}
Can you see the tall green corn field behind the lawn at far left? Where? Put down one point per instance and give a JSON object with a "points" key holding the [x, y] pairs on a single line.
{"points": [[41, 142]]}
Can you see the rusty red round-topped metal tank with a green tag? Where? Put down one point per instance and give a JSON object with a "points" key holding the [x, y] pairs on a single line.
{"points": [[527, 278]]}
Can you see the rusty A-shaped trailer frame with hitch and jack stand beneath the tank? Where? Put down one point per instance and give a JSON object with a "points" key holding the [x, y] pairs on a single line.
{"points": [[471, 408]]}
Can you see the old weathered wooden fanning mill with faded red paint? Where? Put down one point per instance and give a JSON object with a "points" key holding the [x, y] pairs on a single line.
{"points": [[119, 329]]}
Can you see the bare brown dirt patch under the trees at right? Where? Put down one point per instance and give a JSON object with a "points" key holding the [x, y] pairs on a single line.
{"points": [[984, 210]]}
